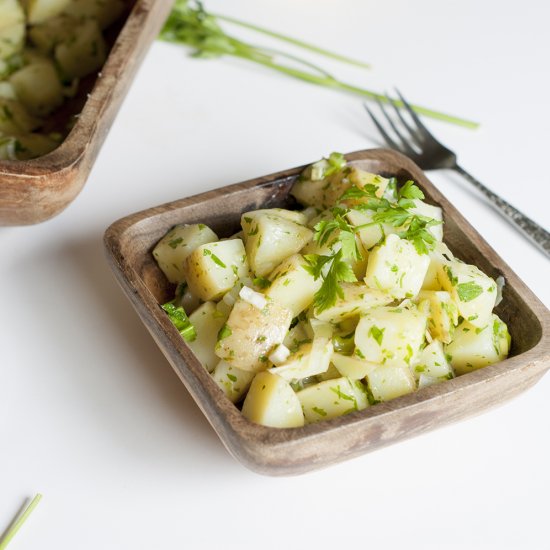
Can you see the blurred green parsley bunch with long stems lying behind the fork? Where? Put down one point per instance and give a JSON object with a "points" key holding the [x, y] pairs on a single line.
{"points": [[189, 23]]}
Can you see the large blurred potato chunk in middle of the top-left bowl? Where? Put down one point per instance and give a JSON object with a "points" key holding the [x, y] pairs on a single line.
{"points": [[38, 87]]}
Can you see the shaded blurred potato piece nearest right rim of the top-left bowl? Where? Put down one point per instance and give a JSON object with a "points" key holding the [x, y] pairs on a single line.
{"points": [[84, 53]]}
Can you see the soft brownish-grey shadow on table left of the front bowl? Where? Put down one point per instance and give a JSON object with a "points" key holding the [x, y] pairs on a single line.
{"points": [[119, 356]]}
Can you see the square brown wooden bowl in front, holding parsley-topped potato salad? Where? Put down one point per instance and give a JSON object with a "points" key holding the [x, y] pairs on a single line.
{"points": [[274, 451]]}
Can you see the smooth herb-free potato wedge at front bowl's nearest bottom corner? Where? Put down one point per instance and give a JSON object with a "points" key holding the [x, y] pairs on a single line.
{"points": [[271, 401]]}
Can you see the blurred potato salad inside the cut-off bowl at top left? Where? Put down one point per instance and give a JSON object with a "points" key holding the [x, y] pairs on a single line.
{"points": [[46, 47]]}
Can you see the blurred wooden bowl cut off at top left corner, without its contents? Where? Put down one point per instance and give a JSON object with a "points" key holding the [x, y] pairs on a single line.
{"points": [[35, 190]]}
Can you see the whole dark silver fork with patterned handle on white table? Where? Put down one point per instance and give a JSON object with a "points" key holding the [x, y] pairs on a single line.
{"points": [[416, 142]]}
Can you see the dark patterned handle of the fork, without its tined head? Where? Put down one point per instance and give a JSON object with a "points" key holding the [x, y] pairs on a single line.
{"points": [[533, 231]]}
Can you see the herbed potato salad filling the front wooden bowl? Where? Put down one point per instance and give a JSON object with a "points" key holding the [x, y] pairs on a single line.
{"points": [[306, 315]]}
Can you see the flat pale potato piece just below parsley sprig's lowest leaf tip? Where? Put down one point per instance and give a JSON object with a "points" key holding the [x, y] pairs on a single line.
{"points": [[357, 300]]}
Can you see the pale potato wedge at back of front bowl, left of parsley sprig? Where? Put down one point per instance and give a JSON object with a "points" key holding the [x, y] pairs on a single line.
{"points": [[269, 239]]}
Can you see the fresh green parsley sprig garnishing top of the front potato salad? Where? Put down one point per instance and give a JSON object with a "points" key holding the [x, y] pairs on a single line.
{"points": [[340, 236]]}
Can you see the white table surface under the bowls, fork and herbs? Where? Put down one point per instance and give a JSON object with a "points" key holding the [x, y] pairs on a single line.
{"points": [[92, 415]]}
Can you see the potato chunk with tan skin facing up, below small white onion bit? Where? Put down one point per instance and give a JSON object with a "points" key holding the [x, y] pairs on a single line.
{"points": [[250, 334]]}
